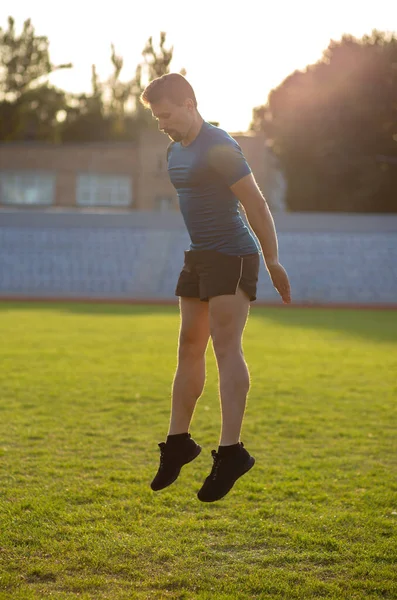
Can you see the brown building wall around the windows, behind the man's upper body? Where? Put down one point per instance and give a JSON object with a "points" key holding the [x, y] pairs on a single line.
{"points": [[144, 163]]}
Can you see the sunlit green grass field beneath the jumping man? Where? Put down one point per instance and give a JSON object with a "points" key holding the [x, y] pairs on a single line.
{"points": [[84, 402]]}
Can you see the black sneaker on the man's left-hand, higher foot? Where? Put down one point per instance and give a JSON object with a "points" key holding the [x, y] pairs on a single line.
{"points": [[172, 459]]}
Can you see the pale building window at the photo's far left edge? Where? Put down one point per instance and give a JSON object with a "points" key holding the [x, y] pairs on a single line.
{"points": [[30, 188]]}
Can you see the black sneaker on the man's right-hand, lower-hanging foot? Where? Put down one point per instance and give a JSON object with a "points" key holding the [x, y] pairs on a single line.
{"points": [[224, 474]]}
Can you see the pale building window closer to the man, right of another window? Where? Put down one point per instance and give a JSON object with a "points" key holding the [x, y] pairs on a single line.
{"points": [[104, 190]]}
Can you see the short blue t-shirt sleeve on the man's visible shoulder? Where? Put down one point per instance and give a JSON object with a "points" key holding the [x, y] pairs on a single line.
{"points": [[228, 160]]}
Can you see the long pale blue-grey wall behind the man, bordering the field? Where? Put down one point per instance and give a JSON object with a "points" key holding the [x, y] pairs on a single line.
{"points": [[330, 258]]}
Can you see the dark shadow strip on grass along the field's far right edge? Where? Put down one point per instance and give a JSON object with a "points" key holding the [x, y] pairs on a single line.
{"points": [[375, 325]]}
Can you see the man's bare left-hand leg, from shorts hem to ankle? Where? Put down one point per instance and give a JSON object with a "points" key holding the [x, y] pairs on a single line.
{"points": [[189, 378]]}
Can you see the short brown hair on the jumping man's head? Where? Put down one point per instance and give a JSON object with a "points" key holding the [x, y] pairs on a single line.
{"points": [[173, 86]]}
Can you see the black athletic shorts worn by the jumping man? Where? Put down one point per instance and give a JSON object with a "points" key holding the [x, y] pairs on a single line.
{"points": [[208, 273]]}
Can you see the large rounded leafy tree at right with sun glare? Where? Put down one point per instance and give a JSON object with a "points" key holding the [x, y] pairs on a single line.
{"points": [[332, 124]]}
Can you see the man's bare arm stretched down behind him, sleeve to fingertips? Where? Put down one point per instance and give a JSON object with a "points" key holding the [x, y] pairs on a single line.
{"points": [[260, 219]]}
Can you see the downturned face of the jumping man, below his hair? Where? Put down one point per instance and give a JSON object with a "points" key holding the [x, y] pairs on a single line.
{"points": [[172, 119]]}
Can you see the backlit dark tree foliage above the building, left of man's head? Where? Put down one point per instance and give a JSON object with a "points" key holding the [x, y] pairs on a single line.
{"points": [[30, 109]]}
